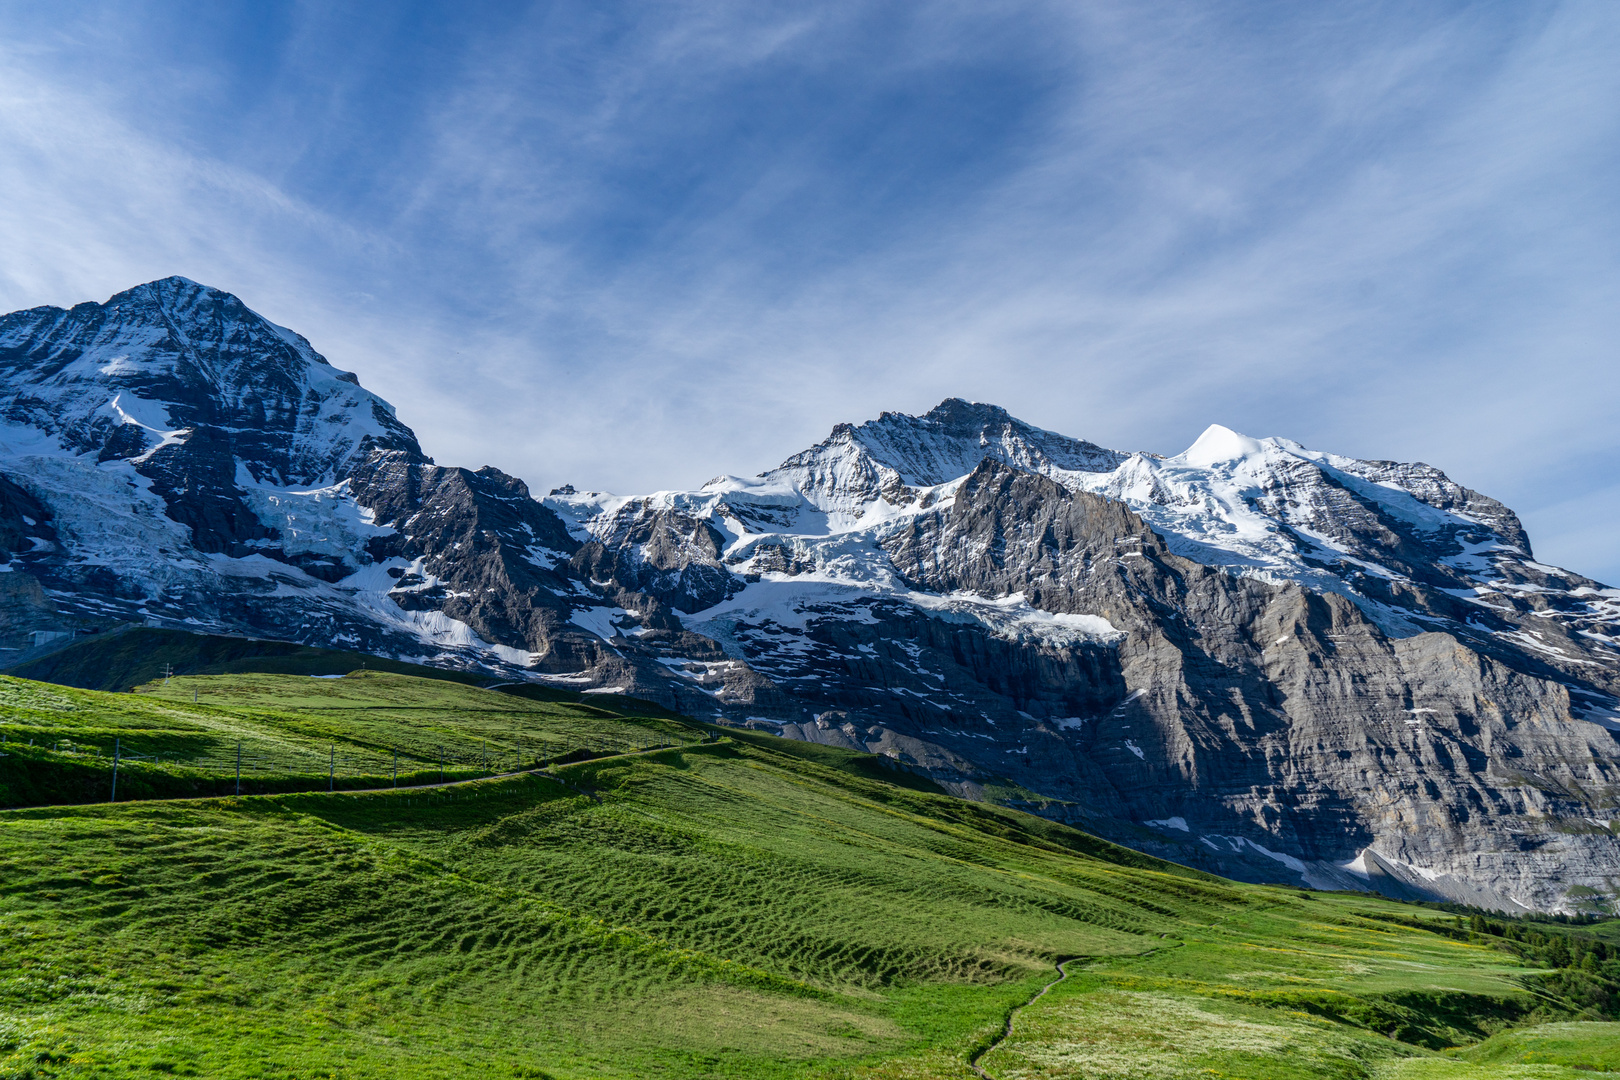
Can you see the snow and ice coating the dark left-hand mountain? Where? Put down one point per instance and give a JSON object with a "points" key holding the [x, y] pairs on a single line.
{"points": [[137, 368]]}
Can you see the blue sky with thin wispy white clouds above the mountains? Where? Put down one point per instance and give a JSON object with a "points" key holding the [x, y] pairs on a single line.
{"points": [[631, 247]]}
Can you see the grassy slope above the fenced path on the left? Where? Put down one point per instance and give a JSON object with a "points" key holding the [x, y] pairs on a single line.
{"points": [[291, 731]]}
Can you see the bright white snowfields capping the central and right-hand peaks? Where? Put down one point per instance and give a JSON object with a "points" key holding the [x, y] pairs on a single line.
{"points": [[1264, 508]]}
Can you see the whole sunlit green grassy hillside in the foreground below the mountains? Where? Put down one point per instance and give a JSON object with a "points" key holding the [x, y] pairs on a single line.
{"points": [[743, 908]]}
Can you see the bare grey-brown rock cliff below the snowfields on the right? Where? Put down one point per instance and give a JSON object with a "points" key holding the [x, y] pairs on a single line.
{"points": [[1276, 715]]}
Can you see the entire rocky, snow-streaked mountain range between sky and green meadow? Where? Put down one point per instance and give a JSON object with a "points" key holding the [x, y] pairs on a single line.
{"points": [[1255, 658]]}
